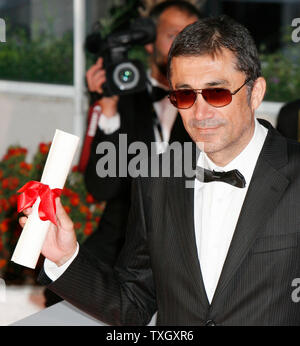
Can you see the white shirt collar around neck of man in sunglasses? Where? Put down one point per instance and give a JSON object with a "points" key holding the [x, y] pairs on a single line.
{"points": [[245, 162]]}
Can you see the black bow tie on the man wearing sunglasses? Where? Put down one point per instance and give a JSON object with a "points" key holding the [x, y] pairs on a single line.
{"points": [[233, 177]]}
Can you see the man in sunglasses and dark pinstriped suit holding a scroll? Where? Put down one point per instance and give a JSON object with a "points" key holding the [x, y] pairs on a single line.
{"points": [[224, 252]]}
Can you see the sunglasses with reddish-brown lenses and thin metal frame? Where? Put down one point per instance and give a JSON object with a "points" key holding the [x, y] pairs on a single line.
{"points": [[217, 97]]}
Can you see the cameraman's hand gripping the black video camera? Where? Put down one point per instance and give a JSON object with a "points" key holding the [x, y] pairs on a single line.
{"points": [[96, 77]]}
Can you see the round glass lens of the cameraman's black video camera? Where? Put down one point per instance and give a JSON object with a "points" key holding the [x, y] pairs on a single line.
{"points": [[126, 76]]}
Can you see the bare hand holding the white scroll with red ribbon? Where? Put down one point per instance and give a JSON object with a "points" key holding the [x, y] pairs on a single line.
{"points": [[60, 243]]}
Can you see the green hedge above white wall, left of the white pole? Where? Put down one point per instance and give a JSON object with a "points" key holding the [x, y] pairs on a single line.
{"points": [[44, 59]]}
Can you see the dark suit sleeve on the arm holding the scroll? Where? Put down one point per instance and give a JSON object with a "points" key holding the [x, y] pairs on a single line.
{"points": [[123, 295]]}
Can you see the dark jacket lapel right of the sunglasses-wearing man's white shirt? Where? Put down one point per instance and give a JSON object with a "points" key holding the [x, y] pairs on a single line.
{"points": [[265, 190]]}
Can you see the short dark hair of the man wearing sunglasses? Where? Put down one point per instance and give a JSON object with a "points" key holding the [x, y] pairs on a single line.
{"points": [[212, 34]]}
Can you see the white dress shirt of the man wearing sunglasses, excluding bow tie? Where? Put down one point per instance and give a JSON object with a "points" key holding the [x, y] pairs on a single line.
{"points": [[217, 206]]}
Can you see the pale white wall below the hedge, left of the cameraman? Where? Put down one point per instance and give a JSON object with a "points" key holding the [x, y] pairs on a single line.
{"points": [[30, 119]]}
